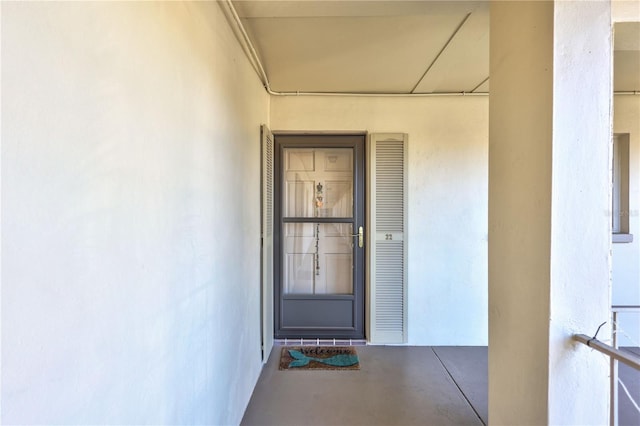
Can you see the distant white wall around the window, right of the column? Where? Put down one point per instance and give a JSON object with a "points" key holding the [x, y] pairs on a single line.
{"points": [[626, 257]]}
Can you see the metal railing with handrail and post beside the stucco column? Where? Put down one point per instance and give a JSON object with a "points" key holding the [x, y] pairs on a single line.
{"points": [[615, 354]]}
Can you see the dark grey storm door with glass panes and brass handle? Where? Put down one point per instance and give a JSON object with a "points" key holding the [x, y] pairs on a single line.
{"points": [[319, 282]]}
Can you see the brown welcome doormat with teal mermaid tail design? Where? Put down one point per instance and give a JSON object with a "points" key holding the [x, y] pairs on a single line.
{"points": [[319, 358]]}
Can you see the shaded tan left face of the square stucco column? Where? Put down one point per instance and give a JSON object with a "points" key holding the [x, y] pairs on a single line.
{"points": [[520, 183]]}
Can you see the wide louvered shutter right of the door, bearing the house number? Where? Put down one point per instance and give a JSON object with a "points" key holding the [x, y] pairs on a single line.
{"points": [[387, 249]]}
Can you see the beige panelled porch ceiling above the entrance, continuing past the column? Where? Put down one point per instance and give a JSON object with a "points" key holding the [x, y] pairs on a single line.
{"points": [[418, 46]]}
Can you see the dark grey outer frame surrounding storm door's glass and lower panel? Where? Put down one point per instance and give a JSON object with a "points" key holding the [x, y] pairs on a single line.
{"points": [[357, 141]]}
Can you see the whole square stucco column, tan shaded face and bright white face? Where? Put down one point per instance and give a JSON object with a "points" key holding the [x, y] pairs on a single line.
{"points": [[549, 194]]}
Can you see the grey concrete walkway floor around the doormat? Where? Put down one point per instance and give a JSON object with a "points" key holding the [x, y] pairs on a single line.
{"points": [[396, 385]]}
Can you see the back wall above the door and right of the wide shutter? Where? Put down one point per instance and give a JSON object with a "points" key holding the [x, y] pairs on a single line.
{"points": [[447, 229]]}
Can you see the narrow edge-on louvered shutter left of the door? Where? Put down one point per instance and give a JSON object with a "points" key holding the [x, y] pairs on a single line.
{"points": [[267, 241]]}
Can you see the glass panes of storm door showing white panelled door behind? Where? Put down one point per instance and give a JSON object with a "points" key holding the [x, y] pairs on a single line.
{"points": [[317, 257]]}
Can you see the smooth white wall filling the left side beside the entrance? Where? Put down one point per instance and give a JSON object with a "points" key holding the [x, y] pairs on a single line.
{"points": [[130, 197]]}
